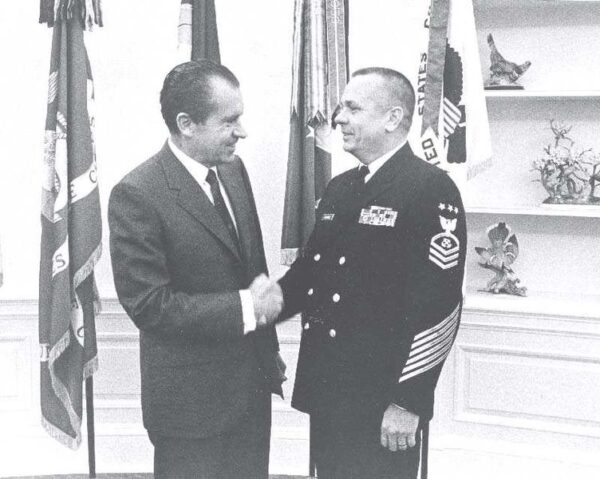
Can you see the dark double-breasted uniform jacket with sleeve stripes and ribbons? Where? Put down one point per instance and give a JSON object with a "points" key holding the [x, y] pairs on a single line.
{"points": [[380, 286]]}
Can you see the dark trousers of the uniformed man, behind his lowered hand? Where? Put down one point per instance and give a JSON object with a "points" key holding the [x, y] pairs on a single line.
{"points": [[349, 448]]}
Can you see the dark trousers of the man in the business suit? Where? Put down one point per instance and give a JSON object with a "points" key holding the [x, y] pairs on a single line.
{"points": [[240, 453]]}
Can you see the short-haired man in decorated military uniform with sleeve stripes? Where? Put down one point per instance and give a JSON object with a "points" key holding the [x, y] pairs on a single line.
{"points": [[380, 285]]}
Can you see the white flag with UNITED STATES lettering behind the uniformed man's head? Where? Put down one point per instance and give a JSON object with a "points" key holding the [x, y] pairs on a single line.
{"points": [[450, 128]]}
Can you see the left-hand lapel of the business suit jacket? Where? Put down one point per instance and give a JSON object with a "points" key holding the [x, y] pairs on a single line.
{"points": [[192, 198]]}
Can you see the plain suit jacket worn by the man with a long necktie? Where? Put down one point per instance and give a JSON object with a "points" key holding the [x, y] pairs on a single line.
{"points": [[177, 274]]}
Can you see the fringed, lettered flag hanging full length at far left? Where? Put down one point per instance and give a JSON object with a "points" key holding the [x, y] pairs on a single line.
{"points": [[71, 224]]}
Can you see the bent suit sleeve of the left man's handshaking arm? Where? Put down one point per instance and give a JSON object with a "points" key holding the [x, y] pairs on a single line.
{"points": [[142, 277]]}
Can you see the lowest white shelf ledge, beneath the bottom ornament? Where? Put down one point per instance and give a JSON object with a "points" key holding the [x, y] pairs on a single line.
{"points": [[551, 304]]}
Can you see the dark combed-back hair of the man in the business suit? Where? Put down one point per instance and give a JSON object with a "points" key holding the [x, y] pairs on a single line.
{"points": [[187, 89]]}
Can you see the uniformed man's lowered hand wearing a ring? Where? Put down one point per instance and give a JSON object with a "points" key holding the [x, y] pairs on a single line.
{"points": [[398, 429]]}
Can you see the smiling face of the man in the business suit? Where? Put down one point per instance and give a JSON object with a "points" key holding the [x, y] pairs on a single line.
{"points": [[213, 141]]}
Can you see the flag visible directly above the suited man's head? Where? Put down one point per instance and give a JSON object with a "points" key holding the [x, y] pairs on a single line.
{"points": [[197, 31]]}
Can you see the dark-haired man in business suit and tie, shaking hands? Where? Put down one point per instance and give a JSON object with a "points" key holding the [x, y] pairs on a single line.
{"points": [[185, 245]]}
